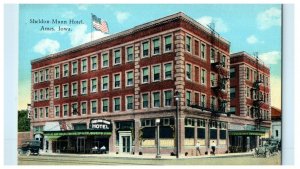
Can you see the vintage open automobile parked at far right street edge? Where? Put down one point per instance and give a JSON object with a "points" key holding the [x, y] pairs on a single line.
{"points": [[269, 148]]}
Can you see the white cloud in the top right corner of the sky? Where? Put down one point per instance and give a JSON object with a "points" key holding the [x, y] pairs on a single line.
{"points": [[268, 18]]}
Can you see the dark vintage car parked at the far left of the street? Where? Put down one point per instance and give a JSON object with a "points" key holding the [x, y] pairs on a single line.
{"points": [[30, 147]]}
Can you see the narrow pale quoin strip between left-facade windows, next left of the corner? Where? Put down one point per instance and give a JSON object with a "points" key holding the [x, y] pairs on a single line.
{"points": [[136, 76]]}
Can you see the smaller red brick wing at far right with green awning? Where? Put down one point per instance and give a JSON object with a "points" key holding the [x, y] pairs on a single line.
{"points": [[250, 100]]}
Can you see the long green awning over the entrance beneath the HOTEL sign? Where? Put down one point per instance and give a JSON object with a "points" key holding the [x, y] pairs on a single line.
{"points": [[50, 134]]}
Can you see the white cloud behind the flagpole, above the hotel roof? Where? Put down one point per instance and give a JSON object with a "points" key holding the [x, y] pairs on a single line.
{"points": [[80, 35]]}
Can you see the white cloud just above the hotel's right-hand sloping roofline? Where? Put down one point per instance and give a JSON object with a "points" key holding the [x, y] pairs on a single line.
{"points": [[220, 25]]}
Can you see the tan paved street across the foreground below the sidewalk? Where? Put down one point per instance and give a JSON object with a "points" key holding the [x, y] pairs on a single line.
{"points": [[112, 160]]}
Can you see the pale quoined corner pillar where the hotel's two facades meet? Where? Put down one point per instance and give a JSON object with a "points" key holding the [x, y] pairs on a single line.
{"points": [[180, 83]]}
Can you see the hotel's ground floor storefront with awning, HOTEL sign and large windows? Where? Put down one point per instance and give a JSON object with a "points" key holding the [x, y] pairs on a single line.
{"points": [[197, 133]]}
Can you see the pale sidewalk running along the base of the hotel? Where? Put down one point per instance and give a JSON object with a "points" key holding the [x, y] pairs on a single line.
{"points": [[145, 156]]}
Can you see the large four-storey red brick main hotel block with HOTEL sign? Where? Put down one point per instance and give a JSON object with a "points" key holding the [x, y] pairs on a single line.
{"points": [[111, 91]]}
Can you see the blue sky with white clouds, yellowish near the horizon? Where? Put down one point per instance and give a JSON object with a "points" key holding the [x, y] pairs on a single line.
{"points": [[250, 28]]}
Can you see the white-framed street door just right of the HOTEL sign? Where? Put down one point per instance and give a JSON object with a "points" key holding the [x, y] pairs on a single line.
{"points": [[125, 142]]}
